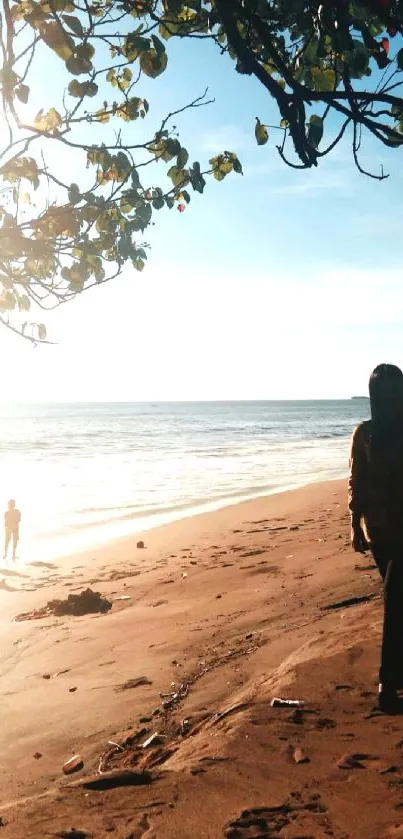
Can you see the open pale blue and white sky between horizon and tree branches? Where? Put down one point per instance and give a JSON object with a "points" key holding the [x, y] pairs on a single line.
{"points": [[277, 284]]}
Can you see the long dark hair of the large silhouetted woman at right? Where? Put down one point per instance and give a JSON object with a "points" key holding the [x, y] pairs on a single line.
{"points": [[386, 399]]}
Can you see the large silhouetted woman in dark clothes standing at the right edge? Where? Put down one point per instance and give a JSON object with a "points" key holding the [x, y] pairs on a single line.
{"points": [[376, 507]]}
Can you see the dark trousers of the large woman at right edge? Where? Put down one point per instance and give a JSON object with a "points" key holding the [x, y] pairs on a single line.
{"points": [[389, 560]]}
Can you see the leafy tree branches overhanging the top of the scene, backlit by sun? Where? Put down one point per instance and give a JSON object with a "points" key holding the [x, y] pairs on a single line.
{"points": [[333, 69]]}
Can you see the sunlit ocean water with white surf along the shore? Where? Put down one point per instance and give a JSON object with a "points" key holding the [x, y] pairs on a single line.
{"points": [[86, 473]]}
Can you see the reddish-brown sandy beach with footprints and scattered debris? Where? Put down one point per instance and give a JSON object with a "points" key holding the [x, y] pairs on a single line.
{"points": [[220, 613]]}
